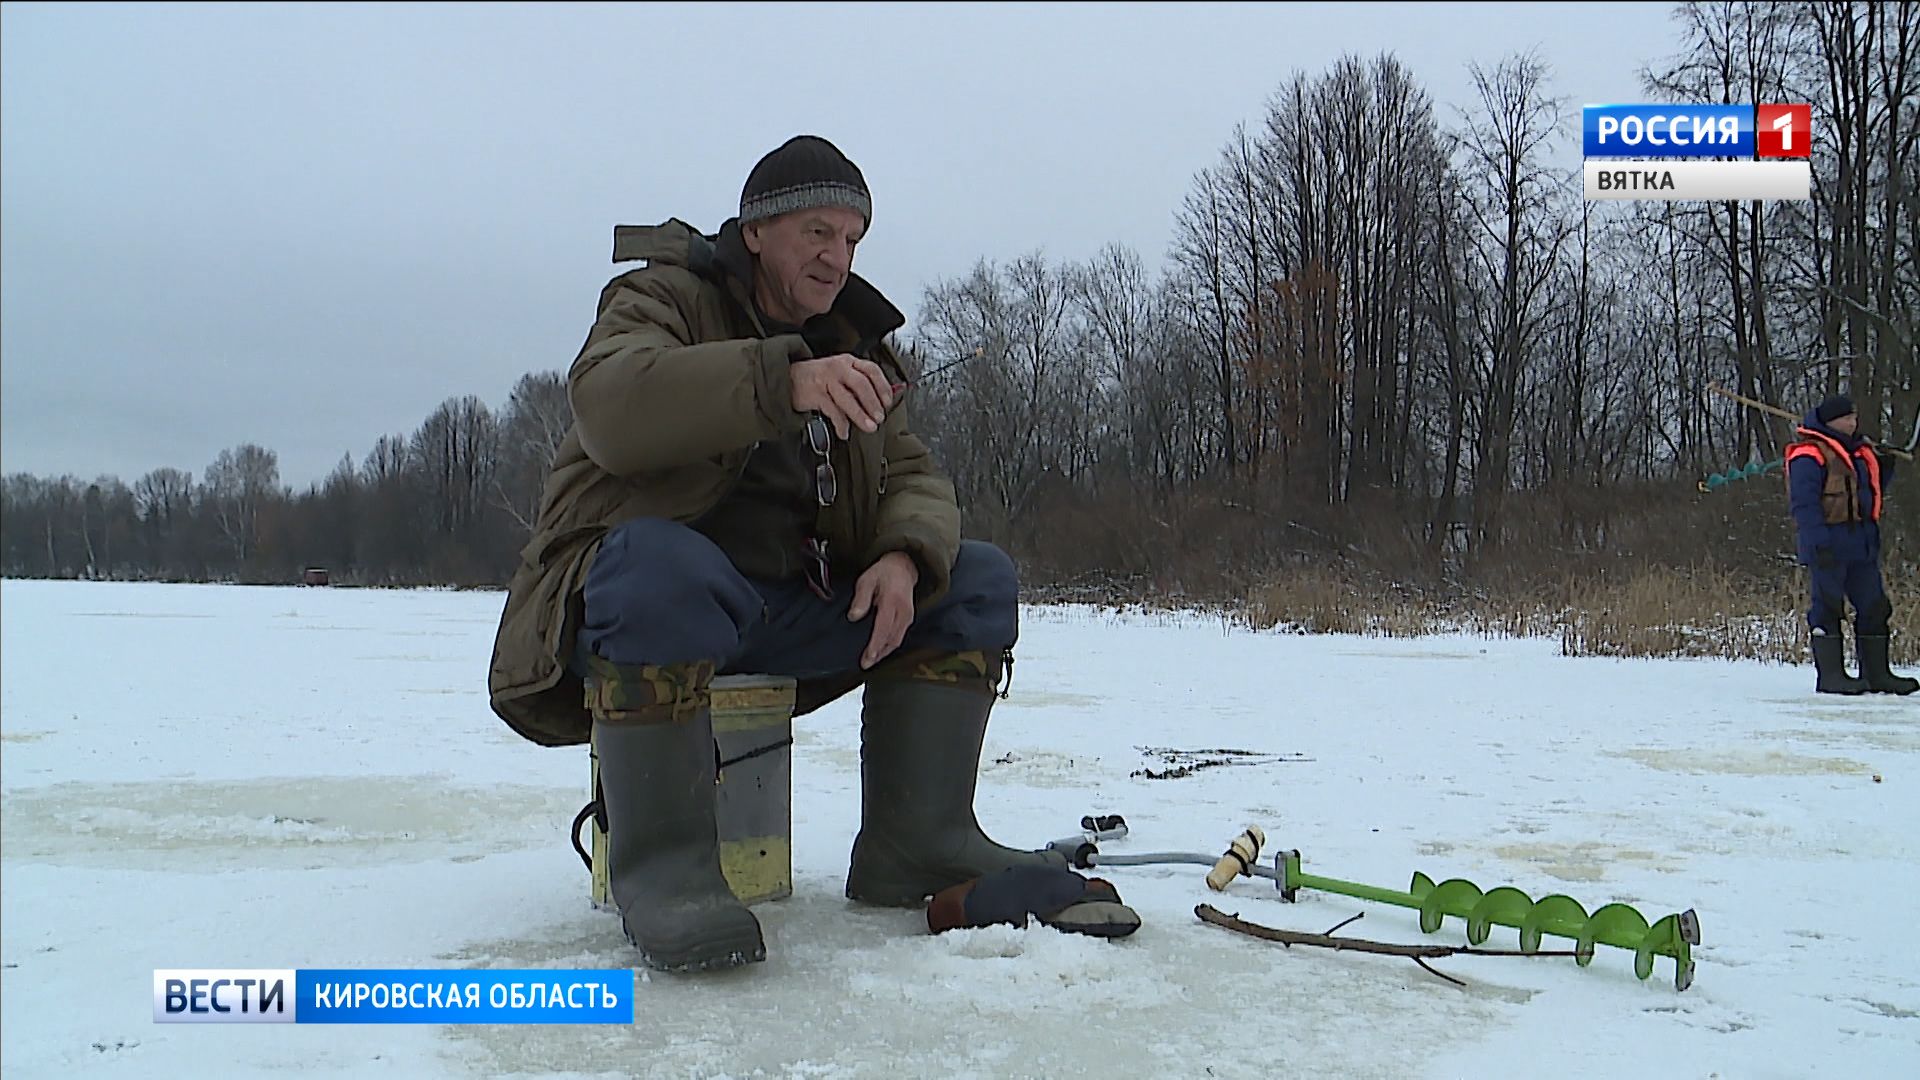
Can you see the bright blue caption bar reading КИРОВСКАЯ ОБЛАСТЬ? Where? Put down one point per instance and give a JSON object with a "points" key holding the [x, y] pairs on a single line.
{"points": [[458, 996]]}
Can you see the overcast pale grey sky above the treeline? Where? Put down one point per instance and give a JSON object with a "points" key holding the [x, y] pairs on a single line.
{"points": [[308, 226]]}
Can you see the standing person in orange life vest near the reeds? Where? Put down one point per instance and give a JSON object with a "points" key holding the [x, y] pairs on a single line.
{"points": [[1836, 485]]}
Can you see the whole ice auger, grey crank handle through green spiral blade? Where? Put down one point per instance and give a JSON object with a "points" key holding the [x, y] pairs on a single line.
{"points": [[1616, 925]]}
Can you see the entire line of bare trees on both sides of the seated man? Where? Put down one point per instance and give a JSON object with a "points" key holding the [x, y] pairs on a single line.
{"points": [[1380, 330]]}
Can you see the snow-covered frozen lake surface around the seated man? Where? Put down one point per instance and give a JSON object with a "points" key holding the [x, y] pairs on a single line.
{"points": [[283, 779]]}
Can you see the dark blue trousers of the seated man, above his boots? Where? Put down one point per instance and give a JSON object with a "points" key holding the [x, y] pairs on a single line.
{"points": [[661, 593]]}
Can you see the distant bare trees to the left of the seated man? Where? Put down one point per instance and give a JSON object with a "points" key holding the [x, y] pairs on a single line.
{"points": [[450, 504]]}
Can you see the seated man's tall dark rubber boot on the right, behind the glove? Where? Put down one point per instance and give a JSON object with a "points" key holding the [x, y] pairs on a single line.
{"points": [[923, 727]]}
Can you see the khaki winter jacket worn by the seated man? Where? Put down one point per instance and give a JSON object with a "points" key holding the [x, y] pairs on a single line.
{"points": [[677, 383]]}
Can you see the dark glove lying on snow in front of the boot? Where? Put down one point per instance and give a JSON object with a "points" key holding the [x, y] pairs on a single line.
{"points": [[1057, 896]]}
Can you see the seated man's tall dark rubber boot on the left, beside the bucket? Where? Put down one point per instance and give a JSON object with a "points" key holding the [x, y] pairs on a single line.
{"points": [[658, 766]]}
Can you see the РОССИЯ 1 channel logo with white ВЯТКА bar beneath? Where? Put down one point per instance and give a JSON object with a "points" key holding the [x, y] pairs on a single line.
{"points": [[1698, 153]]}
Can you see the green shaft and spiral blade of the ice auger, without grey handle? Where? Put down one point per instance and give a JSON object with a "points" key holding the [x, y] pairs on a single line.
{"points": [[1560, 916]]}
